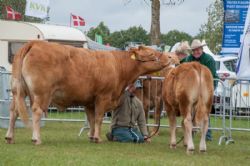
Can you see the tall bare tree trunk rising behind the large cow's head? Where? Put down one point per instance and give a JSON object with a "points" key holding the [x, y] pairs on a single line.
{"points": [[155, 22]]}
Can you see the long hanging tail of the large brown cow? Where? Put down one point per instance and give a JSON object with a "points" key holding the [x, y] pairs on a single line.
{"points": [[18, 83]]}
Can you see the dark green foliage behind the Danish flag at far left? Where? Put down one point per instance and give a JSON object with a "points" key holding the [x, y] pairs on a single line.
{"points": [[18, 6]]}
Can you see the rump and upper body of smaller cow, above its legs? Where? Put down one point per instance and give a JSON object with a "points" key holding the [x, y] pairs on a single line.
{"points": [[186, 83]]}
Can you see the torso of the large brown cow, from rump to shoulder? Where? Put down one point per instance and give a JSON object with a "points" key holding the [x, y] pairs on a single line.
{"points": [[69, 75]]}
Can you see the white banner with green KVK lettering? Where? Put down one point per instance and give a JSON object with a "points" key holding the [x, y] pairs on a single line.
{"points": [[37, 8]]}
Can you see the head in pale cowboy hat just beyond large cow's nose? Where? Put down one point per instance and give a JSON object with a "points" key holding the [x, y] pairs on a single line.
{"points": [[182, 51]]}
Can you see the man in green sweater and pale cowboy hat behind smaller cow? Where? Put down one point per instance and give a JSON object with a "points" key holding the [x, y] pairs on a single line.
{"points": [[207, 60]]}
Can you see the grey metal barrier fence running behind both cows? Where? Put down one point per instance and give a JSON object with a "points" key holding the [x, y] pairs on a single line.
{"points": [[227, 114]]}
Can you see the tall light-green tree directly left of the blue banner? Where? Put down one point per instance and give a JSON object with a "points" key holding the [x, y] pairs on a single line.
{"points": [[212, 30]]}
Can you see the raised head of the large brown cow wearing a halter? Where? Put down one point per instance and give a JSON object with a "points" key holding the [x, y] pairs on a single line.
{"points": [[150, 59]]}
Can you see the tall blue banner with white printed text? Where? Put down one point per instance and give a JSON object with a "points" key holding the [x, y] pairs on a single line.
{"points": [[235, 12]]}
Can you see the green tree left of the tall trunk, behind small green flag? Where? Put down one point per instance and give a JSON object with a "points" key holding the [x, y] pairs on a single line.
{"points": [[102, 30]]}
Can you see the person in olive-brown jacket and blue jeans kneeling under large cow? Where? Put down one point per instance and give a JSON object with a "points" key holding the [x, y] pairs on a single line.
{"points": [[128, 121]]}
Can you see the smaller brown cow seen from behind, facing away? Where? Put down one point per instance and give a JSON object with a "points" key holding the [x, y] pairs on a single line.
{"points": [[188, 89]]}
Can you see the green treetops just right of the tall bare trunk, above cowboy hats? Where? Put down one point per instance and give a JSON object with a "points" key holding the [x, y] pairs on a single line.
{"points": [[175, 36]]}
